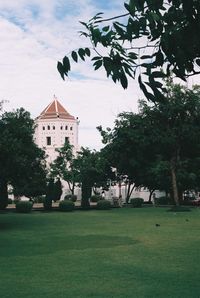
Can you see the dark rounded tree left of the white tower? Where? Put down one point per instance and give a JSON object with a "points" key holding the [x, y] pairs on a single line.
{"points": [[21, 161]]}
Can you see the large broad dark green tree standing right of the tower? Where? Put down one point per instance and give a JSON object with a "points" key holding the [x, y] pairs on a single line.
{"points": [[159, 147]]}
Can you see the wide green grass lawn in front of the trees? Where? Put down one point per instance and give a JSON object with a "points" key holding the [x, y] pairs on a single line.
{"points": [[116, 253]]}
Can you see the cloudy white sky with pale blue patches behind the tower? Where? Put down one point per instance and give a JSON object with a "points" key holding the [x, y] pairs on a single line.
{"points": [[34, 35]]}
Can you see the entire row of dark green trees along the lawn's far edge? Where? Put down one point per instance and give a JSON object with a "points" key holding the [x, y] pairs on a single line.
{"points": [[157, 148]]}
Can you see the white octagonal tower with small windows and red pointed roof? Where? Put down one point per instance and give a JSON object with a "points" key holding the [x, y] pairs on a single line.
{"points": [[53, 127]]}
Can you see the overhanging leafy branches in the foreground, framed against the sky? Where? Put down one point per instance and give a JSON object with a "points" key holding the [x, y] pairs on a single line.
{"points": [[150, 41]]}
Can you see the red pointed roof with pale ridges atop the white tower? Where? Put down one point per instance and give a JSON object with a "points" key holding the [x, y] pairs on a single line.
{"points": [[55, 110]]}
